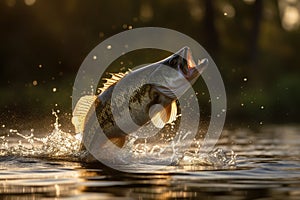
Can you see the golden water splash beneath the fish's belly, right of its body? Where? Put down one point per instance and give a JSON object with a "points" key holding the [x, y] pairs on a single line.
{"points": [[148, 153]]}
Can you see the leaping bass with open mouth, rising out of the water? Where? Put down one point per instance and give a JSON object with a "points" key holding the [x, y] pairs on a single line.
{"points": [[160, 83]]}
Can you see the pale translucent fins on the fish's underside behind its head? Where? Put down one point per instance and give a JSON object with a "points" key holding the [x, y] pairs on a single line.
{"points": [[160, 117]]}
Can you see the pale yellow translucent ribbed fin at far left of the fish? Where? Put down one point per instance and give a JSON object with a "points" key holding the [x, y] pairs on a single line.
{"points": [[80, 112]]}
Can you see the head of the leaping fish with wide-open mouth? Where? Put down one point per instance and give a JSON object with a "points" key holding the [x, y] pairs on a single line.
{"points": [[183, 73]]}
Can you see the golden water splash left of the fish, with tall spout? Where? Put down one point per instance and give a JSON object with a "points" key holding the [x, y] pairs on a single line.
{"points": [[57, 144]]}
